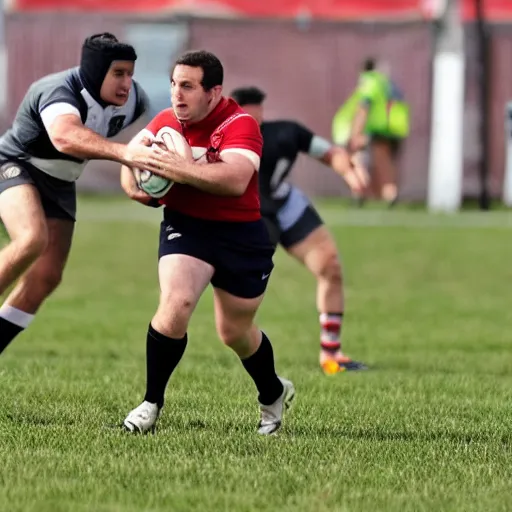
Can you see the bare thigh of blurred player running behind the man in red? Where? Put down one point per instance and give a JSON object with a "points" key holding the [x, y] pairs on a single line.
{"points": [[317, 251]]}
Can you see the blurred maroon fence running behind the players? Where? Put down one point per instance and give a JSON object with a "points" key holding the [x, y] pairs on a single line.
{"points": [[308, 68]]}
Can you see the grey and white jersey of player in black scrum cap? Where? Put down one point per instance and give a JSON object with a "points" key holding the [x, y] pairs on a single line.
{"points": [[54, 95]]}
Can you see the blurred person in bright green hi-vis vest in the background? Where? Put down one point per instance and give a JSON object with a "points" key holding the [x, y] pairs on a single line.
{"points": [[375, 118]]}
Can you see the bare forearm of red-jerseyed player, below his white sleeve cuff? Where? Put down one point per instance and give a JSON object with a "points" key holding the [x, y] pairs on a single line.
{"points": [[217, 178]]}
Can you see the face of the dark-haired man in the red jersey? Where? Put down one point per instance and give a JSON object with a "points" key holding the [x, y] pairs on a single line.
{"points": [[190, 101]]}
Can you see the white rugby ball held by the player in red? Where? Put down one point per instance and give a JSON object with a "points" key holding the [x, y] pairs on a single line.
{"points": [[154, 185]]}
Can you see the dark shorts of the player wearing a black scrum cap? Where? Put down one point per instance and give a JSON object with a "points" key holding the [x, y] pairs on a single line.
{"points": [[58, 197]]}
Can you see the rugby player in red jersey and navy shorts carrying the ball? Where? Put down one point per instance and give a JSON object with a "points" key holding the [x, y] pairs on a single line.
{"points": [[212, 232]]}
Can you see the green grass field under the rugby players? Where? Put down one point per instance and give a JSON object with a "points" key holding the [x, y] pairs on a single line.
{"points": [[428, 428]]}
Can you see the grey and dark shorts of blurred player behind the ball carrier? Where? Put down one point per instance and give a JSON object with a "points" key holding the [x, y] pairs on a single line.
{"points": [[294, 221]]}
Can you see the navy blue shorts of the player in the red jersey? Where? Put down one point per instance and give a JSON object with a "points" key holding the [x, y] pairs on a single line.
{"points": [[240, 252]]}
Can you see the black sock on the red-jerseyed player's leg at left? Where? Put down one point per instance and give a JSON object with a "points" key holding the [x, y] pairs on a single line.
{"points": [[162, 356]]}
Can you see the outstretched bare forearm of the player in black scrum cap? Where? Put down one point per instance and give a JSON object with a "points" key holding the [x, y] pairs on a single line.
{"points": [[83, 143]]}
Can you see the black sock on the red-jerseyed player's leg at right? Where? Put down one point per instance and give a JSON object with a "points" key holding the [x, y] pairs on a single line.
{"points": [[260, 366]]}
